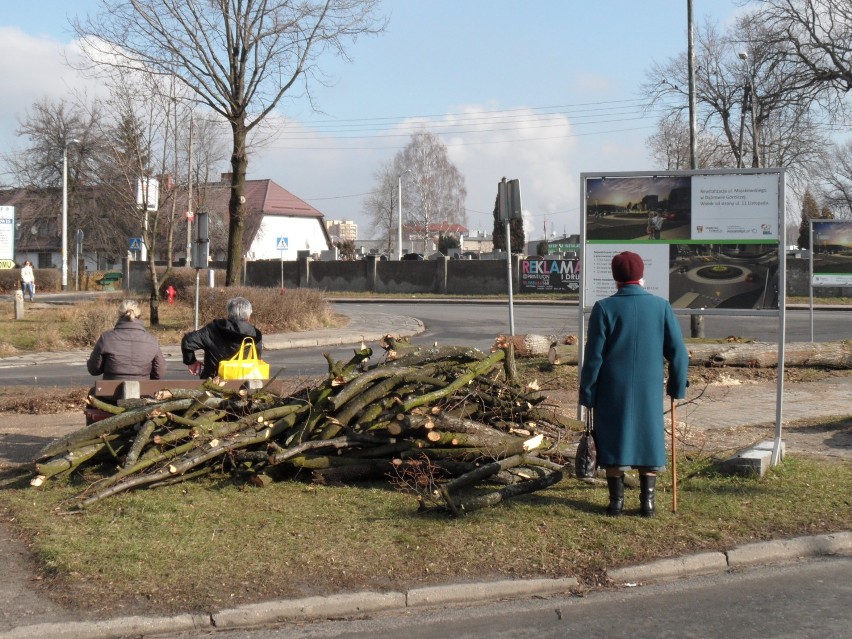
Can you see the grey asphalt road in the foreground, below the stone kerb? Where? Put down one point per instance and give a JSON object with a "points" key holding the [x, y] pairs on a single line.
{"points": [[803, 600]]}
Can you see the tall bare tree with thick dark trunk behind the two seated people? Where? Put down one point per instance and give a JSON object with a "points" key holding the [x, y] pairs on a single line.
{"points": [[239, 57]]}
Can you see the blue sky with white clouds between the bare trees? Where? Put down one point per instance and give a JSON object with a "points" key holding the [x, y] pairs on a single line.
{"points": [[557, 81]]}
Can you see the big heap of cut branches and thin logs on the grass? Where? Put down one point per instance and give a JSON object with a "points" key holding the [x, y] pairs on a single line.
{"points": [[450, 424]]}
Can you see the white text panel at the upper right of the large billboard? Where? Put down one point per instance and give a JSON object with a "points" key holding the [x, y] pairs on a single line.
{"points": [[735, 207]]}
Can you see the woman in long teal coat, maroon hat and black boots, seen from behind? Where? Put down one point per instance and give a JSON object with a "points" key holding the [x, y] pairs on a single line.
{"points": [[630, 334]]}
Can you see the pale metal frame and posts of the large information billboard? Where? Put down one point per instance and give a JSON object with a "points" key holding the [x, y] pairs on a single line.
{"points": [[779, 175]]}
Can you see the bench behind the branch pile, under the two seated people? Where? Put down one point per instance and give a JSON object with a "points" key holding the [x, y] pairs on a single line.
{"points": [[128, 393]]}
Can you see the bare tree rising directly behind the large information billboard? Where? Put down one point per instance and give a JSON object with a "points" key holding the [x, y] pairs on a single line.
{"points": [[753, 106]]}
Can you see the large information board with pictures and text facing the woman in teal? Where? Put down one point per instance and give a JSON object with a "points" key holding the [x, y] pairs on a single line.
{"points": [[708, 240]]}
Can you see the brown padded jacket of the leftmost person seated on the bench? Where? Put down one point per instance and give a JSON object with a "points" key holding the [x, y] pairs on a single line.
{"points": [[128, 351]]}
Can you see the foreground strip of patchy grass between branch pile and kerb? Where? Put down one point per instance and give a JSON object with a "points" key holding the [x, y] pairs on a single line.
{"points": [[212, 543]]}
